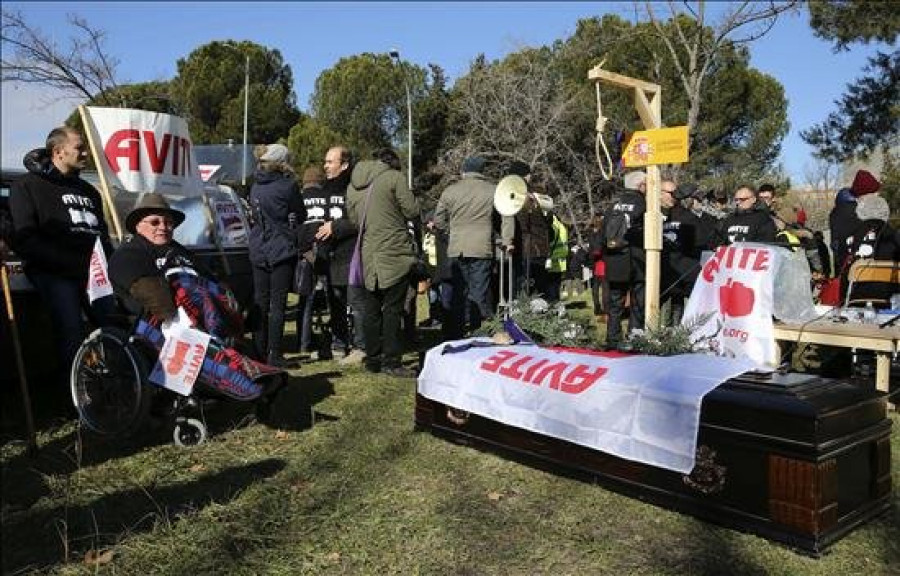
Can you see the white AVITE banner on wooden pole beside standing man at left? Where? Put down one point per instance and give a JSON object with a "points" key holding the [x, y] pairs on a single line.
{"points": [[145, 151]]}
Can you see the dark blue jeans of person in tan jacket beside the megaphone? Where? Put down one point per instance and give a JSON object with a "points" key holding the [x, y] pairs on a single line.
{"points": [[472, 297]]}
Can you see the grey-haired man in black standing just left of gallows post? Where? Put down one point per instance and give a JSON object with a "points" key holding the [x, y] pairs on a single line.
{"points": [[625, 257]]}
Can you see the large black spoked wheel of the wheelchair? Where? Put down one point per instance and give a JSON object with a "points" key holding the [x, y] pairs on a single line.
{"points": [[107, 382]]}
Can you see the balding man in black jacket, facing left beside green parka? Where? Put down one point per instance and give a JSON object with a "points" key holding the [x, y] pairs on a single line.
{"points": [[337, 238]]}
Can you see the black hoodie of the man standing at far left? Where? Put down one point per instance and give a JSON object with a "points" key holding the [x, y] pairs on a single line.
{"points": [[56, 218]]}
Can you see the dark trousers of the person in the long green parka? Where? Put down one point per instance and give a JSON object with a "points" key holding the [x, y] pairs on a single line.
{"points": [[384, 311]]}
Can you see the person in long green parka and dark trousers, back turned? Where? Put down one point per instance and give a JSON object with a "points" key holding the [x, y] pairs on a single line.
{"points": [[380, 204]]}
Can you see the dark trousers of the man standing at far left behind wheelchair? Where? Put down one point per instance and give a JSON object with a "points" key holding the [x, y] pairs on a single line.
{"points": [[66, 298]]}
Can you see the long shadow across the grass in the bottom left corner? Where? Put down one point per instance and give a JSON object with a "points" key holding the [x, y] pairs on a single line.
{"points": [[39, 539]]}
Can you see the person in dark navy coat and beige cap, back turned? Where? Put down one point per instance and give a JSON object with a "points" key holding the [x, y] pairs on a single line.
{"points": [[277, 210]]}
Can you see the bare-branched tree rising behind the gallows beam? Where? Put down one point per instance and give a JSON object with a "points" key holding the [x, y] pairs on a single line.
{"points": [[693, 51]]}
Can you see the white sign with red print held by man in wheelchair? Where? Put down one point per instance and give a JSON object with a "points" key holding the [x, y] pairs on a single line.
{"points": [[181, 357]]}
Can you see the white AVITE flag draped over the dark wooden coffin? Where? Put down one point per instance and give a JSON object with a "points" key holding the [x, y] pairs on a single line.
{"points": [[642, 408]]}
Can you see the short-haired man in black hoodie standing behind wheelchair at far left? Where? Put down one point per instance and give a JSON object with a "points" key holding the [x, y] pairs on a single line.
{"points": [[57, 218]]}
